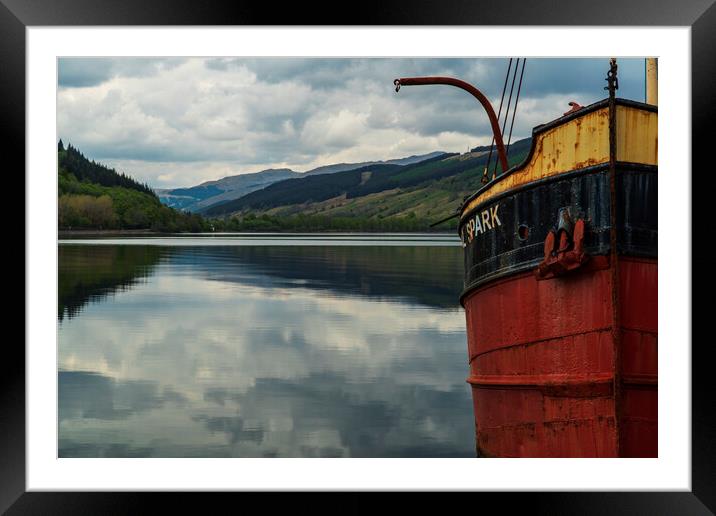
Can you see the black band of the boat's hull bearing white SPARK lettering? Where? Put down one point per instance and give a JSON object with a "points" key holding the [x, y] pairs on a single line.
{"points": [[505, 235]]}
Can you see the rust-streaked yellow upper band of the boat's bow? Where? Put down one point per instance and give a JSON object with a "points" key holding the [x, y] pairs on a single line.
{"points": [[578, 143]]}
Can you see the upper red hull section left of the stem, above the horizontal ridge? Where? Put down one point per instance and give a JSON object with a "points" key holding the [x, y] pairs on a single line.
{"points": [[520, 314]]}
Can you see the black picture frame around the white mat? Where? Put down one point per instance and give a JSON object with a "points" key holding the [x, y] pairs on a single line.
{"points": [[700, 15]]}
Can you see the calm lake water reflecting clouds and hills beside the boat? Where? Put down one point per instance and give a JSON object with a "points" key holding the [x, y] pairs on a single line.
{"points": [[263, 346]]}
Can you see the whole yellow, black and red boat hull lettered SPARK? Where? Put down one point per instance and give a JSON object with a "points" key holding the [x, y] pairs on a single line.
{"points": [[561, 292]]}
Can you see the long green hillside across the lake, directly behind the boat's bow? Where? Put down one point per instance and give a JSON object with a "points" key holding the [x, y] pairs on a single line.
{"points": [[372, 198]]}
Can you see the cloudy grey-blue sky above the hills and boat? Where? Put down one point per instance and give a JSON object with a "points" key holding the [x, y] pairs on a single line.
{"points": [[175, 122]]}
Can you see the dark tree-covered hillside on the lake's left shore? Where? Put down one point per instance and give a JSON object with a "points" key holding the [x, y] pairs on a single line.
{"points": [[93, 196]]}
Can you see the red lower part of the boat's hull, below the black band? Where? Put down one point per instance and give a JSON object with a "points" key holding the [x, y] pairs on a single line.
{"points": [[557, 370]]}
